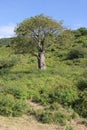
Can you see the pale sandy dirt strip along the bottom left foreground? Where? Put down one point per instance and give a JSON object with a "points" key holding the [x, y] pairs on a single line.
{"points": [[24, 123]]}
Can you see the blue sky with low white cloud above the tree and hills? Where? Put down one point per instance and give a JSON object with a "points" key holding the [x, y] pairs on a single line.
{"points": [[12, 12]]}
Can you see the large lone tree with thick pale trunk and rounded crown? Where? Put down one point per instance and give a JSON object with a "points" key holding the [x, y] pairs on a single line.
{"points": [[38, 33]]}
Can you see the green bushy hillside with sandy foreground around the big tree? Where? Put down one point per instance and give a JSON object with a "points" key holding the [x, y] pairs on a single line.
{"points": [[55, 98]]}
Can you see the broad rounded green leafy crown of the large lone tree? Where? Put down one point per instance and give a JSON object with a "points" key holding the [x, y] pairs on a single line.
{"points": [[38, 31]]}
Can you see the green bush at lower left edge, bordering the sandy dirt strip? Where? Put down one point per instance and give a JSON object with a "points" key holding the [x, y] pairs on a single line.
{"points": [[9, 106]]}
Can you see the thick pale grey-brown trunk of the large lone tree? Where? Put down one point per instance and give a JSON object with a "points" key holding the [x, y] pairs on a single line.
{"points": [[41, 60]]}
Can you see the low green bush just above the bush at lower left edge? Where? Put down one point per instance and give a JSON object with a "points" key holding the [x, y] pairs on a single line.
{"points": [[17, 92]]}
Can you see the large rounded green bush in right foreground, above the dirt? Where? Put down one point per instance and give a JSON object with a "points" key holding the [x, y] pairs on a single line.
{"points": [[65, 95]]}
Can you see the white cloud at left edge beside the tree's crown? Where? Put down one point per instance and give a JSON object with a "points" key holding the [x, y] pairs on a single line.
{"points": [[7, 31]]}
